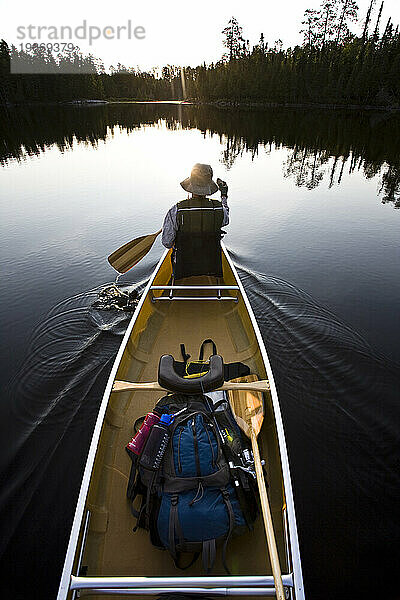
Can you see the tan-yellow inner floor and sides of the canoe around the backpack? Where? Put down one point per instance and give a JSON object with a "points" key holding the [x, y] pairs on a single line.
{"points": [[111, 548]]}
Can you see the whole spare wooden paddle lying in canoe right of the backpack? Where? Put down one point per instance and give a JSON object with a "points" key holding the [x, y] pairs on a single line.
{"points": [[248, 408]]}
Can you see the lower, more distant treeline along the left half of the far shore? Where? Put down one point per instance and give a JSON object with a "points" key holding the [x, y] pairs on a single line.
{"points": [[38, 77]]}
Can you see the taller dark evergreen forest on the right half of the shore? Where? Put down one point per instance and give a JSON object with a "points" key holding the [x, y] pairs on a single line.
{"points": [[331, 67]]}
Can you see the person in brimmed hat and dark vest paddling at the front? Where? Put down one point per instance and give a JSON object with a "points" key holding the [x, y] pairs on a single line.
{"points": [[193, 226]]}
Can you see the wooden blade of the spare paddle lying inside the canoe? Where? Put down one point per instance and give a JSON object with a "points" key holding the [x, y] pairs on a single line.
{"points": [[247, 407]]}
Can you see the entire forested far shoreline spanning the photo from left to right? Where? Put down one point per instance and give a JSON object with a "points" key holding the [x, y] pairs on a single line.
{"points": [[333, 68]]}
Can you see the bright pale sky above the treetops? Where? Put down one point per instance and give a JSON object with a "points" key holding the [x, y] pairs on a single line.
{"points": [[177, 32]]}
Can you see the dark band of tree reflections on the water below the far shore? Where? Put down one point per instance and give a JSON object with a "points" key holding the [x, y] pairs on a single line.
{"points": [[322, 144]]}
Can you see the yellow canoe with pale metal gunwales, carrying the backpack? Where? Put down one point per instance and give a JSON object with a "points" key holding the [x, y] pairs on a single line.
{"points": [[104, 556]]}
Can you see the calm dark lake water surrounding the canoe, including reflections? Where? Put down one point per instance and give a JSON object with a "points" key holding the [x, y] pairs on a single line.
{"points": [[315, 232]]}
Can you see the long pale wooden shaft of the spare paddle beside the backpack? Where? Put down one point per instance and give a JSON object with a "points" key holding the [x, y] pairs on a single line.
{"points": [[269, 528]]}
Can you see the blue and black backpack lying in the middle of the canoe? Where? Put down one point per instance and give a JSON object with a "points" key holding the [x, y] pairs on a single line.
{"points": [[190, 505]]}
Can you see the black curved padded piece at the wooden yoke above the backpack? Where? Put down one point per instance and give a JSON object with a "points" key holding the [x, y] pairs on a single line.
{"points": [[169, 379]]}
